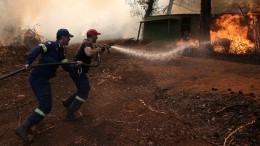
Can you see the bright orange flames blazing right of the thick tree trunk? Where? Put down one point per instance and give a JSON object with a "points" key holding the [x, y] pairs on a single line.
{"points": [[232, 29]]}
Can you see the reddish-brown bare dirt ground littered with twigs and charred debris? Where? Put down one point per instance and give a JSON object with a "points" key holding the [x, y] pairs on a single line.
{"points": [[188, 100]]}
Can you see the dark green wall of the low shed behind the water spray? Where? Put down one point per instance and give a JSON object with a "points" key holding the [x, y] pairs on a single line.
{"points": [[171, 27]]}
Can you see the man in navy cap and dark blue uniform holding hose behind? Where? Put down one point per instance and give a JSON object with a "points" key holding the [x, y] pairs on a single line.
{"points": [[51, 52]]}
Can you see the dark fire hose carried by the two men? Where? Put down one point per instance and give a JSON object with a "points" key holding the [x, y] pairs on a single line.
{"points": [[51, 64]]}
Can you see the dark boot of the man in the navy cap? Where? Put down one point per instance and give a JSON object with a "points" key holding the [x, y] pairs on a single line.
{"points": [[23, 130]]}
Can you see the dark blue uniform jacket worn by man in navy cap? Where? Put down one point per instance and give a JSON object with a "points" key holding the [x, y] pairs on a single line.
{"points": [[51, 52]]}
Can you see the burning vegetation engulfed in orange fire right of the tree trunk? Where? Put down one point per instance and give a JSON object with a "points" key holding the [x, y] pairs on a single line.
{"points": [[234, 34]]}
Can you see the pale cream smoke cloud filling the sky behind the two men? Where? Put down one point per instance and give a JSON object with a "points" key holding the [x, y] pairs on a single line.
{"points": [[111, 18]]}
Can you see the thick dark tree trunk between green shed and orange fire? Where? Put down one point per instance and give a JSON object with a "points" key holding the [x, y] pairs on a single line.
{"points": [[205, 19]]}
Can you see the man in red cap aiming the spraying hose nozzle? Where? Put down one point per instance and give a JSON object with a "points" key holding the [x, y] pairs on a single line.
{"points": [[86, 52]]}
